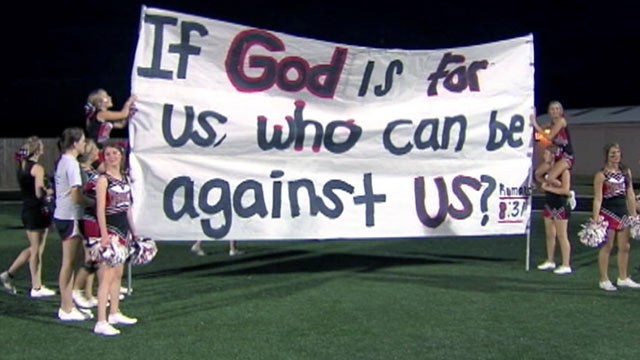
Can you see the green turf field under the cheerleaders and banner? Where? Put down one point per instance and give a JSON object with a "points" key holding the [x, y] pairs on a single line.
{"points": [[466, 298]]}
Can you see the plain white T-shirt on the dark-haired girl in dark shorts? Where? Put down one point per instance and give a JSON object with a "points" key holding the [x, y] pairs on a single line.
{"points": [[67, 176]]}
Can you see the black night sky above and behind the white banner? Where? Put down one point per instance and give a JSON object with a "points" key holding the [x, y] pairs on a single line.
{"points": [[55, 53]]}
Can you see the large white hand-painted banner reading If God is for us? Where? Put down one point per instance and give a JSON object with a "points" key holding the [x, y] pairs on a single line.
{"points": [[250, 134]]}
